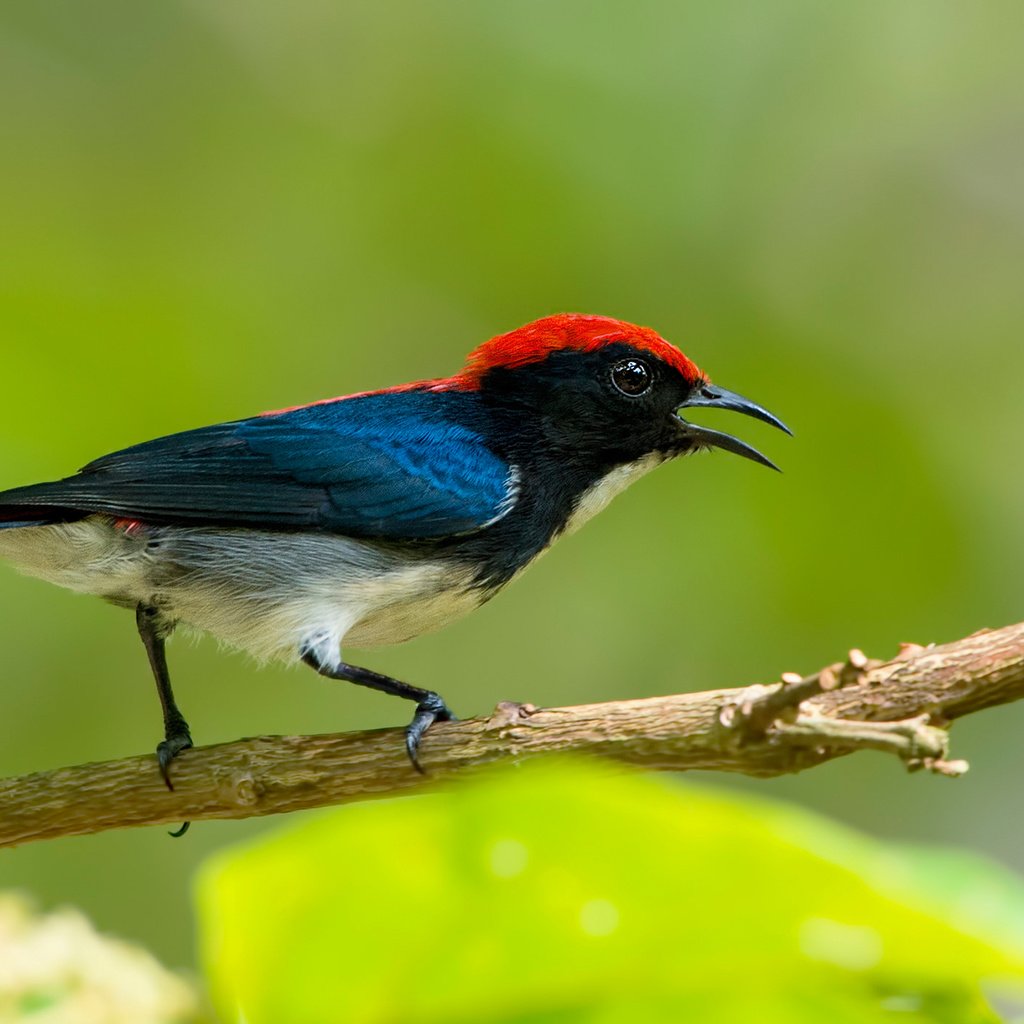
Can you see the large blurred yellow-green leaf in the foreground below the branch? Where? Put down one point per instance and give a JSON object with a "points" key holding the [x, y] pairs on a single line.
{"points": [[566, 893]]}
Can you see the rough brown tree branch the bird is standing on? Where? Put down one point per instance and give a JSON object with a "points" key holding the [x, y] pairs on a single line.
{"points": [[903, 707]]}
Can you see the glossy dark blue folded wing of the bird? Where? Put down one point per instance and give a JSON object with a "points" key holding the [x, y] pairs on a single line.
{"points": [[387, 465]]}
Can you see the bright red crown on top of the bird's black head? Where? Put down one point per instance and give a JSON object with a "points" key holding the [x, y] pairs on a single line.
{"points": [[583, 332]]}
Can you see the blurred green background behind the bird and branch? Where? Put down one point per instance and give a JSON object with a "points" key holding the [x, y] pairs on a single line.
{"points": [[211, 209]]}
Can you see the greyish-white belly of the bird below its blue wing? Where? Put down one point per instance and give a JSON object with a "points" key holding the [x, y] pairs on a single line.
{"points": [[268, 593]]}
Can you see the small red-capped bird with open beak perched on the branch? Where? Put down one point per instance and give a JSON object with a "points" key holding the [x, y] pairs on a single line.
{"points": [[371, 519]]}
